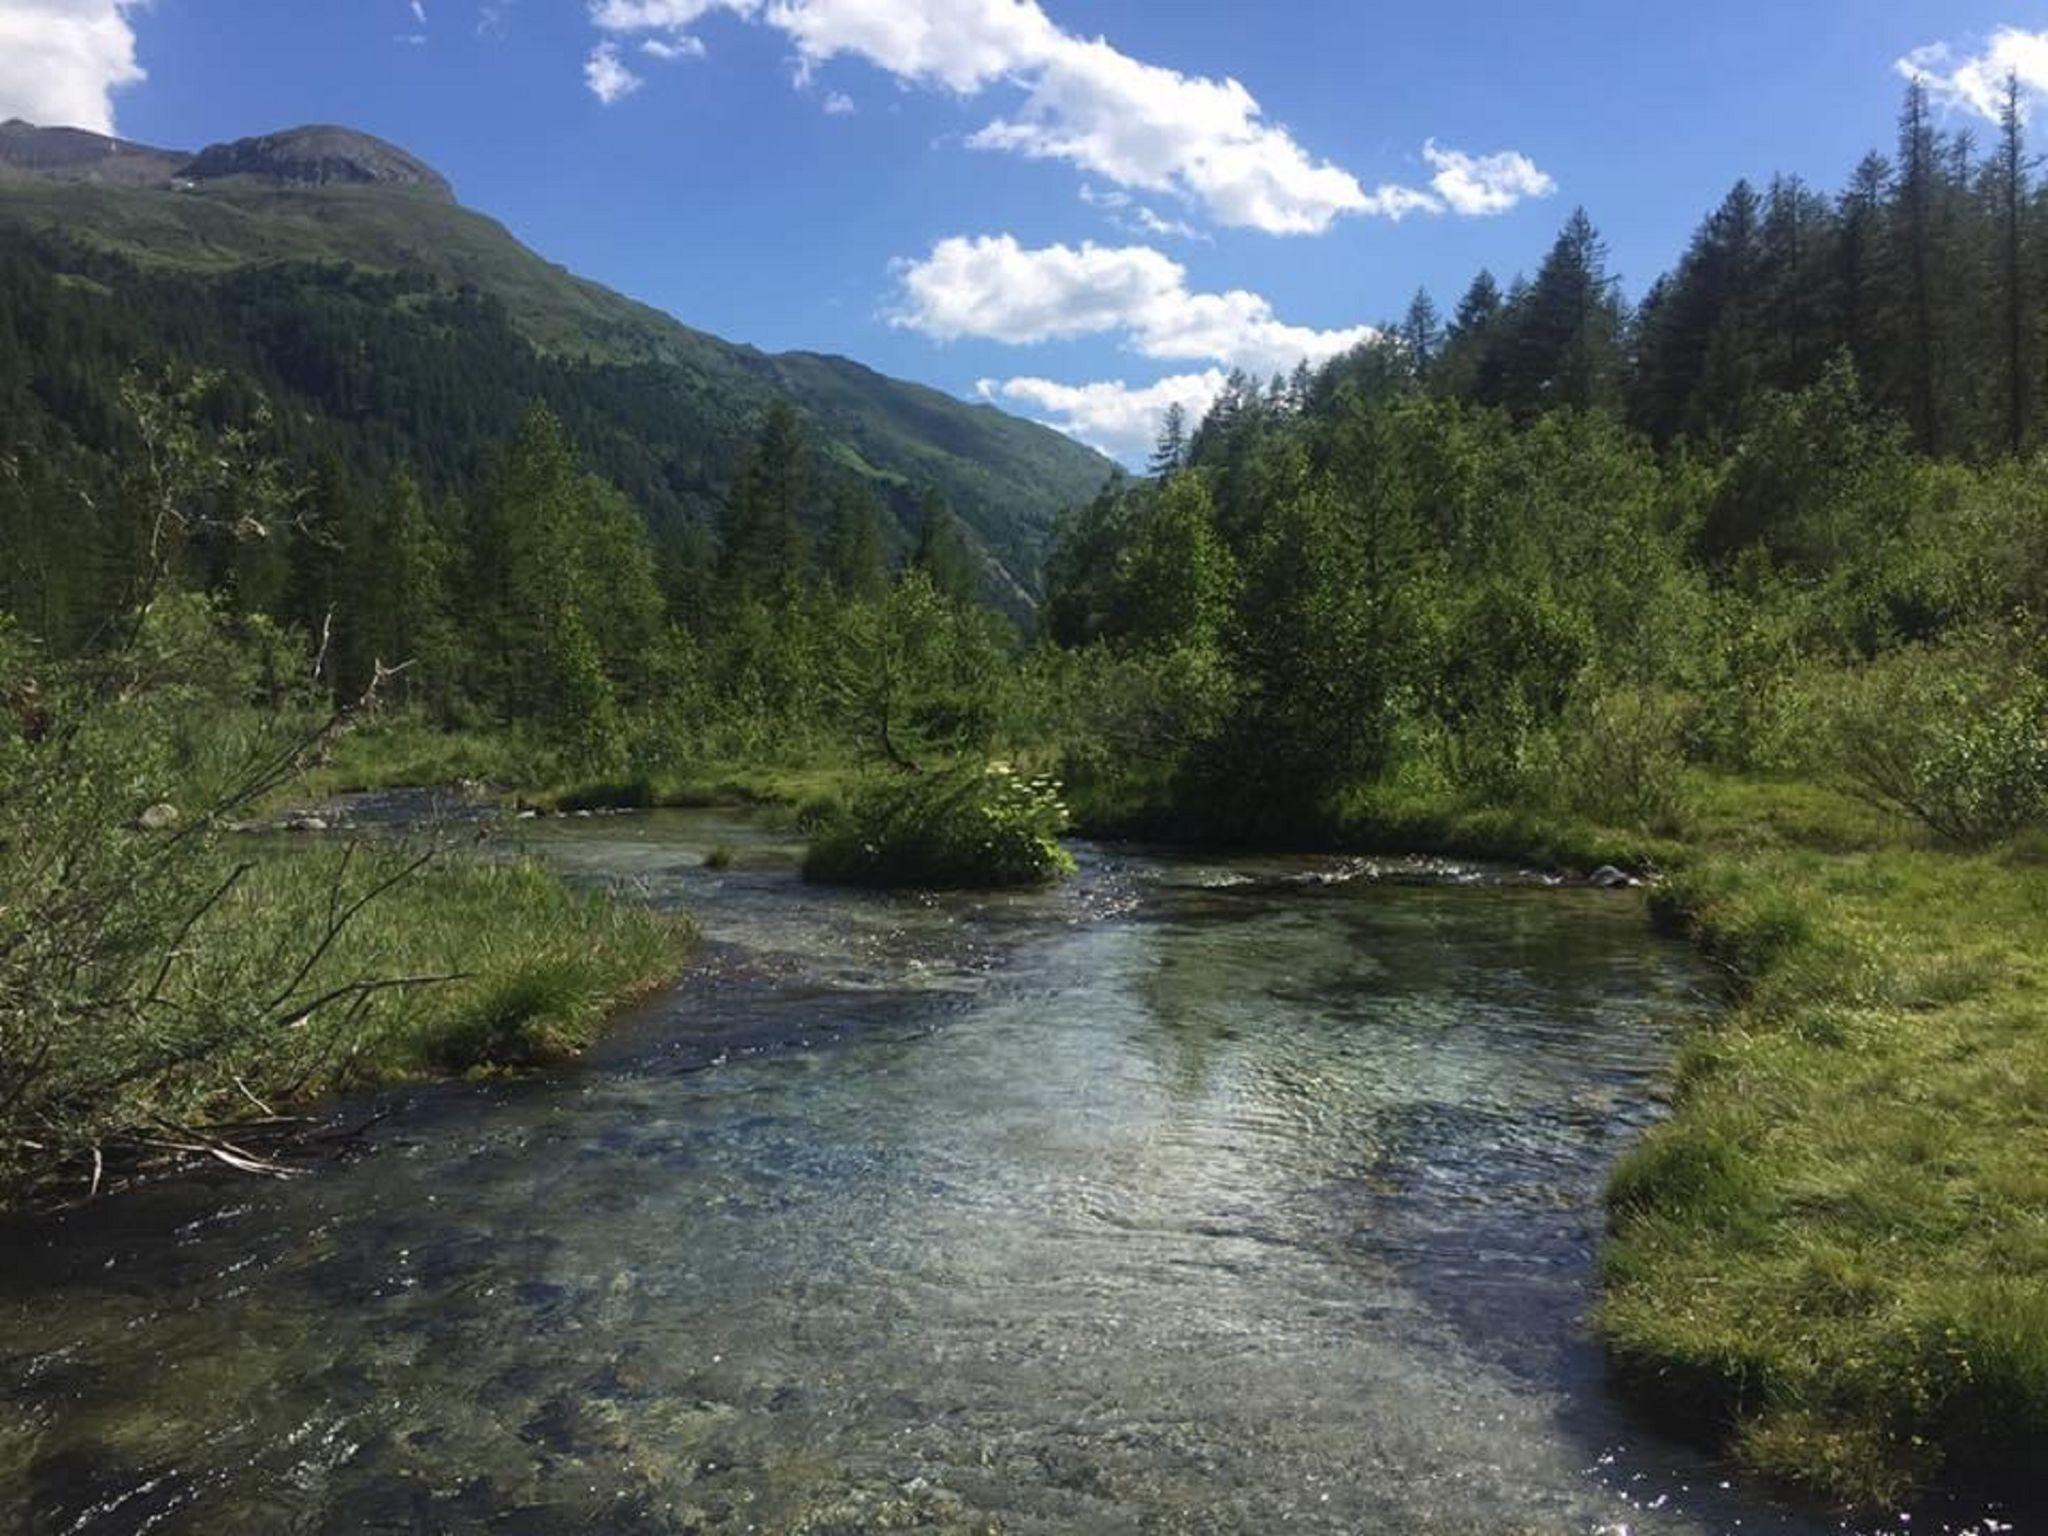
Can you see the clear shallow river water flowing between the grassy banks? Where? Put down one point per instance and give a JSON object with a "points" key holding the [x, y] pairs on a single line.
{"points": [[1201, 1195]]}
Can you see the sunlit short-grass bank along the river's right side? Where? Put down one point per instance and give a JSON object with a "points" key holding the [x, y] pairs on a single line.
{"points": [[1834, 1256]]}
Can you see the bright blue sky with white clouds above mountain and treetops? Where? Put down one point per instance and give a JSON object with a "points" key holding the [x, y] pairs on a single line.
{"points": [[1078, 210]]}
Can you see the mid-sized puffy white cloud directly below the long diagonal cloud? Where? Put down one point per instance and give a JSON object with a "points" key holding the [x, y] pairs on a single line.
{"points": [[996, 290]]}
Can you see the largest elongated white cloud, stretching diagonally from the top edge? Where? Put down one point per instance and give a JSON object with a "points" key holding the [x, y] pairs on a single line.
{"points": [[1138, 126]]}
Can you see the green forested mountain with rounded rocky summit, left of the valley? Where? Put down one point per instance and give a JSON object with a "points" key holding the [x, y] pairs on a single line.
{"points": [[392, 327]]}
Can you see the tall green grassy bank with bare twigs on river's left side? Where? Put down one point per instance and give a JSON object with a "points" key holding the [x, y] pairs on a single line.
{"points": [[269, 1002]]}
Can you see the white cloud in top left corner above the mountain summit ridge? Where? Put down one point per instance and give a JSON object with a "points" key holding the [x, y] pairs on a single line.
{"points": [[65, 60]]}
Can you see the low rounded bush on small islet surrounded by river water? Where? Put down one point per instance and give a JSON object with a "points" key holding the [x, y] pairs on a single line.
{"points": [[978, 828]]}
